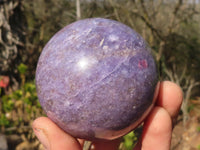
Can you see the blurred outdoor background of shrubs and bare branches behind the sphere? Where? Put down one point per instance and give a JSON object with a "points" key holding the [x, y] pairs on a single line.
{"points": [[171, 27]]}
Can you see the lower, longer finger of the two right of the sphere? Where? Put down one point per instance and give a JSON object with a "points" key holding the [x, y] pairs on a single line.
{"points": [[157, 131]]}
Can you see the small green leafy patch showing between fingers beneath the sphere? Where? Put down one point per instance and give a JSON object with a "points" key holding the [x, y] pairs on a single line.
{"points": [[130, 140]]}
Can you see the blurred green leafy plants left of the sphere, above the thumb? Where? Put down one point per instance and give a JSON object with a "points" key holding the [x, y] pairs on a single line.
{"points": [[21, 106]]}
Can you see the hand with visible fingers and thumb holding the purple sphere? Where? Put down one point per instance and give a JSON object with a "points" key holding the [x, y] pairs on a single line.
{"points": [[156, 134]]}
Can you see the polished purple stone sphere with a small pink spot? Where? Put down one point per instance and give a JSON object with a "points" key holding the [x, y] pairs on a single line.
{"points": [[96, 79]]}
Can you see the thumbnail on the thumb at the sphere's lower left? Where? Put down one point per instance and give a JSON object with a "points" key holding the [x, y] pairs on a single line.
{"points": [[42, 137]]}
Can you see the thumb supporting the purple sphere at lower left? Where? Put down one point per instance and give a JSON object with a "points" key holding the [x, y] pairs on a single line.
{"points": [[52, 137]]}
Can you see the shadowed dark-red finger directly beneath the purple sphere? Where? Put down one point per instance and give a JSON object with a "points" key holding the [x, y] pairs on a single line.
{"points": [[106, 145]]}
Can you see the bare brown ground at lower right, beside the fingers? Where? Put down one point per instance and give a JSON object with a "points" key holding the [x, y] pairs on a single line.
{"points": [[188, 138]]}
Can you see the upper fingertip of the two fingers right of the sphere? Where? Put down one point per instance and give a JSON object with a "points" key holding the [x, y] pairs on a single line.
{"points": [[170, 97]]}
